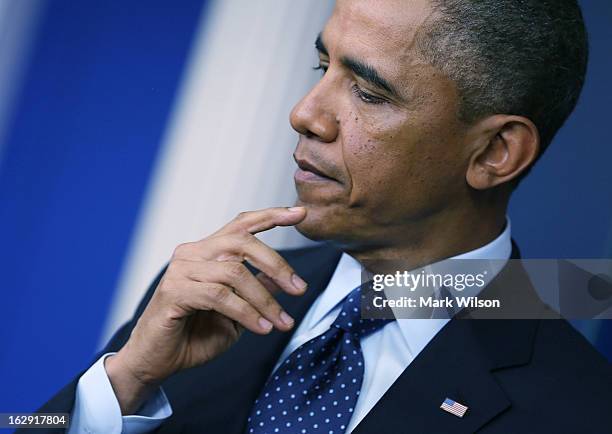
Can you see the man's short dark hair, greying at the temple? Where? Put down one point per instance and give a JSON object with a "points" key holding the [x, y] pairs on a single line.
{"points": [[520, 57]]}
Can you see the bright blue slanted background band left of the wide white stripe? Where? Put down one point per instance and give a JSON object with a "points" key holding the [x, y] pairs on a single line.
{"points": [[95, 102]]}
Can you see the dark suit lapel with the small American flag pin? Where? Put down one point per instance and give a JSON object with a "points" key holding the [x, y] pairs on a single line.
{"points": [[452, 365]]}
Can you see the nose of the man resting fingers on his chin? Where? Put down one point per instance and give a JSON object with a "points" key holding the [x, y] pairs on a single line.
{"points": [[315, 116]]}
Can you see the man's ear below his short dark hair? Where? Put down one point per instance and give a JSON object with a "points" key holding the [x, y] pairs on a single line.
{"points": [[504, 146]]}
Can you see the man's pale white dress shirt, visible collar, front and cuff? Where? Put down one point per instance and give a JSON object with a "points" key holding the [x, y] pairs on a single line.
{"points": [[387, 353]]}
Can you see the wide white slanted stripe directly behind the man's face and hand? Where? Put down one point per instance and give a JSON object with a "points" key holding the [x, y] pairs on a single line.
{"points": [[229, 143]]}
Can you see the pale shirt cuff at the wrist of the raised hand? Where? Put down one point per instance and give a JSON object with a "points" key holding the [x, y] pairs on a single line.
{"points": [[96, 409]]}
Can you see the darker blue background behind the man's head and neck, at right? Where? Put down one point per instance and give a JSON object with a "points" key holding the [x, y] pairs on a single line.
{"points": [[563, 209]]}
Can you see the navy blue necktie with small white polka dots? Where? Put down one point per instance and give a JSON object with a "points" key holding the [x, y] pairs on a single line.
{"points": [[314, 391]]}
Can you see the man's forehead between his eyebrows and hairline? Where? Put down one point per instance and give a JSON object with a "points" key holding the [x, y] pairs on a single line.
{"points": [[377, 29]]}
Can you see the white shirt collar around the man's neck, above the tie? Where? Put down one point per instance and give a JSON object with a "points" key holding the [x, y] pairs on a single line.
{"points": [[418, 332]]}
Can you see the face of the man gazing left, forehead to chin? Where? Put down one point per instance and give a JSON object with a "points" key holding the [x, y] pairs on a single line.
{"points": [[381, 126]]}
